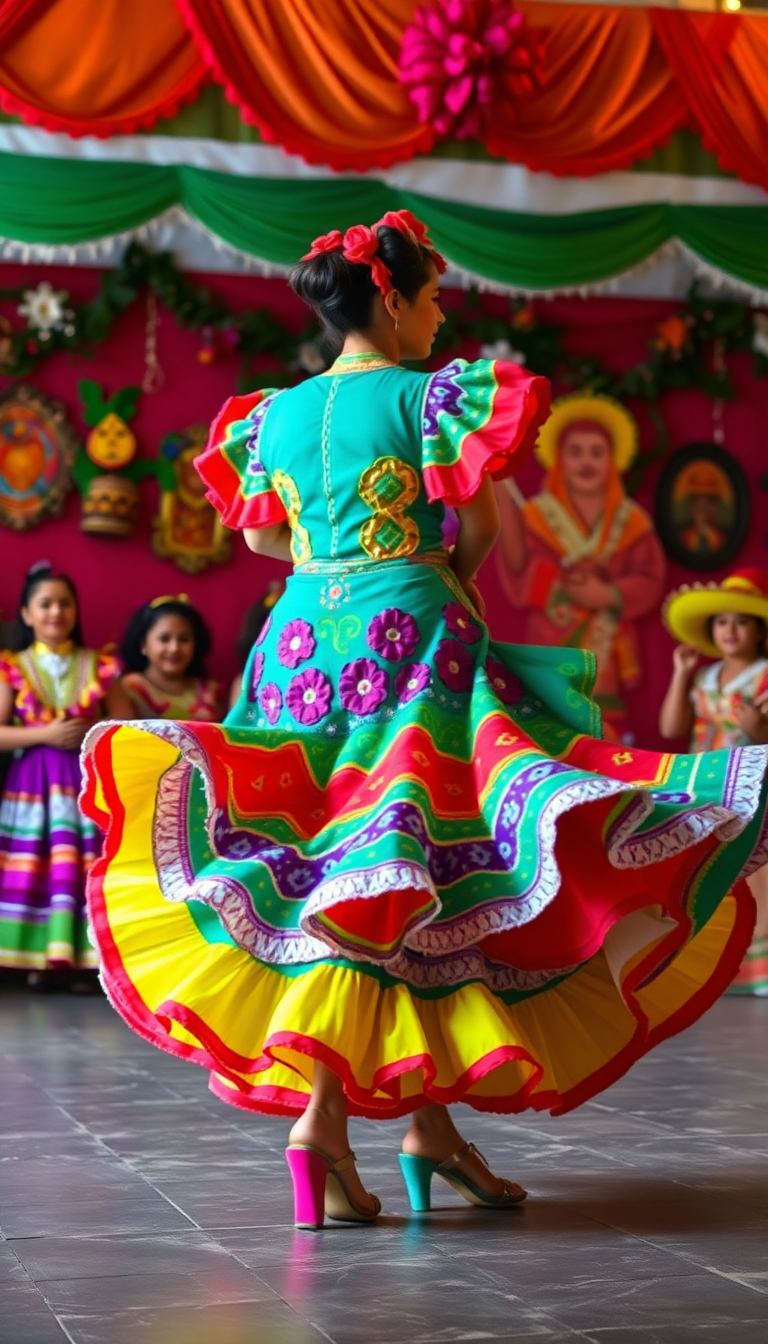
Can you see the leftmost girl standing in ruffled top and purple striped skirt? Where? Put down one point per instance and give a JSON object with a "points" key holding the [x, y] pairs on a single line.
{"points": [[52, 693]]}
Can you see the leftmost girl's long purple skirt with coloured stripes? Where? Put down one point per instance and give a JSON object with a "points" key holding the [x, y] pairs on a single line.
{"points": [[46, 850]]}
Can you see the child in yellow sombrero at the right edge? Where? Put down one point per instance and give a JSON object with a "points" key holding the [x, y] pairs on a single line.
{"points": [[720, 705]]}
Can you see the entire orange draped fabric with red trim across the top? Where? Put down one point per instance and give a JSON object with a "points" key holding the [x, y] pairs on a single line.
{"points": [[321, 79]]}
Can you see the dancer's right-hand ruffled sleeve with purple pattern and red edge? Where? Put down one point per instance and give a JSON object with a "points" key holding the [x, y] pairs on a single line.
{"points": [[478, 420]]}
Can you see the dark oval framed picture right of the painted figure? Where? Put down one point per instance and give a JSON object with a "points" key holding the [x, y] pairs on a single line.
{"points": [[703, 507]]}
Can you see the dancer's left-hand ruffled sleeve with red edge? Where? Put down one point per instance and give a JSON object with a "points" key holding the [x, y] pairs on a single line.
{"points": [[237, 483]]}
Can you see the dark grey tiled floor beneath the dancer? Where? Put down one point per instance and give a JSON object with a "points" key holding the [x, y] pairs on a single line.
{"points": [[135, 1209]]}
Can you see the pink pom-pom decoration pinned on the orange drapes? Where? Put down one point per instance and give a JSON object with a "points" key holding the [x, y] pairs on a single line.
{"points": [[462, 57]]}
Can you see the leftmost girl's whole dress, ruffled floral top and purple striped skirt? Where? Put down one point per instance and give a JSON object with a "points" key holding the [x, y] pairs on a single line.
{"points": [[46, 845]]}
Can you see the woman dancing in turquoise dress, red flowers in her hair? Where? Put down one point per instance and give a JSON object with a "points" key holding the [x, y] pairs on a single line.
{"points": [[406, 872]]}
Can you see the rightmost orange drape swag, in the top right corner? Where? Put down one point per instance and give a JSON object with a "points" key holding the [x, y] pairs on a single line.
{"points": [[722, 67]]}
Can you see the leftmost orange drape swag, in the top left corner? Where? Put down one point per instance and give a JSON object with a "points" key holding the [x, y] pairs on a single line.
{"points": [[96, 69]]}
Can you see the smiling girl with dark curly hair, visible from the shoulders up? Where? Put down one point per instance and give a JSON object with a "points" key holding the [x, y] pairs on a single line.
{"points": [[165, 653]]}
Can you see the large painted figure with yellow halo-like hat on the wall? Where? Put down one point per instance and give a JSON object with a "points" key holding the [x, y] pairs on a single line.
{"points": [[582, 558]]}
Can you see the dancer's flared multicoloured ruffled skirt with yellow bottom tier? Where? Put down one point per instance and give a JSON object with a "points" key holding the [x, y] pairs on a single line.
{"points": [[407, 855]]}
